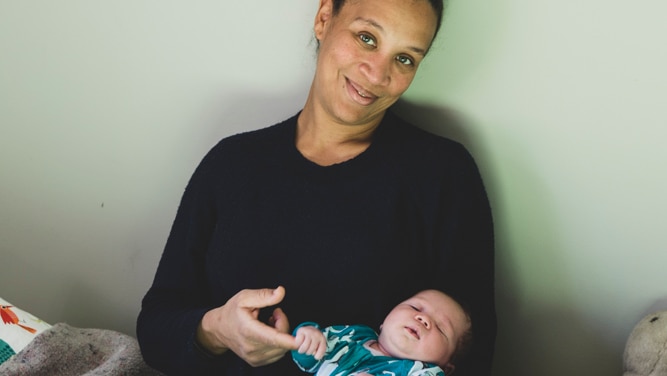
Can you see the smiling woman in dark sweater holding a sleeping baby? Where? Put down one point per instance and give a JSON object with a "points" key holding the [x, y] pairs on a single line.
{"points": [[339, 205]]}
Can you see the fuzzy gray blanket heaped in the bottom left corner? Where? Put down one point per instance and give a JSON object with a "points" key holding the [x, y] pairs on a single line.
{"points": [[63, 350]]}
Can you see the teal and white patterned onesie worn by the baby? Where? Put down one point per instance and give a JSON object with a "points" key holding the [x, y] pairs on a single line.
{"points": [[347, 355]]}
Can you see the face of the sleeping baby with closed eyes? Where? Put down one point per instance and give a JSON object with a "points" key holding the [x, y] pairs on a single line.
{"points": [[426, 327]]}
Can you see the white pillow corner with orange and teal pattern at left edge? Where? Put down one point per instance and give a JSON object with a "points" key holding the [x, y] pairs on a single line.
{"points": [[17, 329]]}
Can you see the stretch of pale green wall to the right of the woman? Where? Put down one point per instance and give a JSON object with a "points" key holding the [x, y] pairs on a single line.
{"points": [[566, 104]]}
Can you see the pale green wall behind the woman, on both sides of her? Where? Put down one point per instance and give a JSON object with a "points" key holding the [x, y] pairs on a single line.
{"points": [[106, 108]]}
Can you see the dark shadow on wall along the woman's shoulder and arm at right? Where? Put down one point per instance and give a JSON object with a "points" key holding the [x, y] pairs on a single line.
{"points": [[540, 330]]}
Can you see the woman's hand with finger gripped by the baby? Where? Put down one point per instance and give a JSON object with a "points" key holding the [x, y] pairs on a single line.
{"points": [[235, 326]]}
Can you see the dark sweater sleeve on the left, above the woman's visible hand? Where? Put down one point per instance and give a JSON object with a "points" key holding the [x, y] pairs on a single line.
{"points": [[176, 302]]}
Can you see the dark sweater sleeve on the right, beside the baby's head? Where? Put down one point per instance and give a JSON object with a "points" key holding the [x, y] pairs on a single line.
{"points": [[467, 268]]}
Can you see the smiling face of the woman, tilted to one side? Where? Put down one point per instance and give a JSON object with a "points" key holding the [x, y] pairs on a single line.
{"points": [[369, 53]]}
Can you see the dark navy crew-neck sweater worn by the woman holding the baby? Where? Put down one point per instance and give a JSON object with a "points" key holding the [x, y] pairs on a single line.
{"points": [[347, 241]]}
